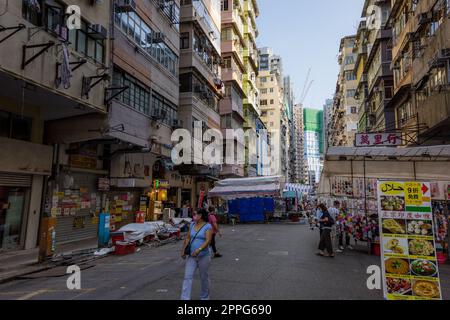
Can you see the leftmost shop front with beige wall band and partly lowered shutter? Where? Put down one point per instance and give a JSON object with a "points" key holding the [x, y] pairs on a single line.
{"points": [[23, 169]]}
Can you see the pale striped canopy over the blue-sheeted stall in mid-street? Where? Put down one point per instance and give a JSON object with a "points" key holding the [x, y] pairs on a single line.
{"points": [[247, 187]]}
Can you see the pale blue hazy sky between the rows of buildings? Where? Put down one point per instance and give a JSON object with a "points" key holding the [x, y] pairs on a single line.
{"points": [[307, 35]]}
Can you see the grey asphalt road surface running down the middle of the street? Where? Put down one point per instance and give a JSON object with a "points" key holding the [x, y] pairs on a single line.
{"points": [[270, 262]]}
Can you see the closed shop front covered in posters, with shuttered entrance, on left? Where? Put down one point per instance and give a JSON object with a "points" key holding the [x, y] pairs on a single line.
{"points": [[76, 196]]}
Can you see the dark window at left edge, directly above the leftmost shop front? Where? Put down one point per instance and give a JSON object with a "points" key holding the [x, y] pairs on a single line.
{"points": [[15, 126]]}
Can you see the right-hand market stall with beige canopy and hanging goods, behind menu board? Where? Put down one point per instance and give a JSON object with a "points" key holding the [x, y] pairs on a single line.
{"points": [[350, 175]]}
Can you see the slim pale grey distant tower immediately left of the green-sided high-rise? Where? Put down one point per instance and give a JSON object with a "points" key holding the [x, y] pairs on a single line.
{"points": [[300, 167]]}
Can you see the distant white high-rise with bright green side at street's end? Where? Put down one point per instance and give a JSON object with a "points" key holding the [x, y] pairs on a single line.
{"points": [[314, 144]]}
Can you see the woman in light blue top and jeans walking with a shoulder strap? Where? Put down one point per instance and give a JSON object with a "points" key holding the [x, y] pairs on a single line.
{"points": [[196, 251]]}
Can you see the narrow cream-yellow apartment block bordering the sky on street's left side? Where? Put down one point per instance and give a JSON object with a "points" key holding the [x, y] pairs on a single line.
{"points": [[251, 101]]}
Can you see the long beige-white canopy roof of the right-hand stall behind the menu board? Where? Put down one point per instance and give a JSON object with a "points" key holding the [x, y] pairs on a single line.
{"points": [[415, 163]]}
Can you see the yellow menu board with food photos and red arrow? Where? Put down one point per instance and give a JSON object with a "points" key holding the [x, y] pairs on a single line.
{"points": [[409, 261]]}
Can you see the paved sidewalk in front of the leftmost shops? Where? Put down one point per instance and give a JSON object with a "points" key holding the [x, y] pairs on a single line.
{"points": [[14, 264]]}
